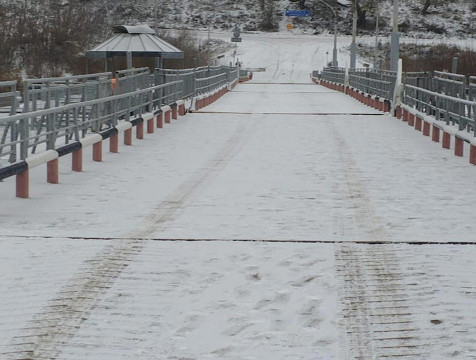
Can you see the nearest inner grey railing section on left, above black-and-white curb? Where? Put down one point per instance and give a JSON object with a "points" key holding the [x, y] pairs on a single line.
{"points": [[27, 132]]}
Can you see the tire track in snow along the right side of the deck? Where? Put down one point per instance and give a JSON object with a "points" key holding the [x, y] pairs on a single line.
{"points": [[376, 320]]}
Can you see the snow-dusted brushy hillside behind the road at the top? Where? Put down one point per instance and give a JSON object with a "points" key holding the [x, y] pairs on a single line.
{"points": [[453, 19]]}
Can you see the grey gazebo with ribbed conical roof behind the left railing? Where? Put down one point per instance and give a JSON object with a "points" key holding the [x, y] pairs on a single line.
{"points": [[140, 41]]}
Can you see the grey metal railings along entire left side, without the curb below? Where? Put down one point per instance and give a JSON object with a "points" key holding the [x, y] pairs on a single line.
{"points": [[64, 117]]}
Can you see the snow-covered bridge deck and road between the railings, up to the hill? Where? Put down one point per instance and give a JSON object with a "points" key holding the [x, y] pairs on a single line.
{"points": [[280, 222]]}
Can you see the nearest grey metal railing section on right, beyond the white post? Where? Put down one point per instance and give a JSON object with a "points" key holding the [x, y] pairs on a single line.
{"points": [[450, 109]]}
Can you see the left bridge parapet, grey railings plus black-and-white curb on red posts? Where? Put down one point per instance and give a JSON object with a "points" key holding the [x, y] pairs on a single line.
{"points": [[67, 127]]}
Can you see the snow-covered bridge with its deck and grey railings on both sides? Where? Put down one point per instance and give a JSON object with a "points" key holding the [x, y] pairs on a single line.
{"points": [[327, 215]]}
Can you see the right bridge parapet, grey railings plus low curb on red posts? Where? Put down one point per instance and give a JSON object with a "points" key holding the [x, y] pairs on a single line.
{"points": [[431, 102]]}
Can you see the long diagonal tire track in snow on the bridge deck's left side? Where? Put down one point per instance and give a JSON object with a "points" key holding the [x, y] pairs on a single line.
{"points": [[59, 321]]}
